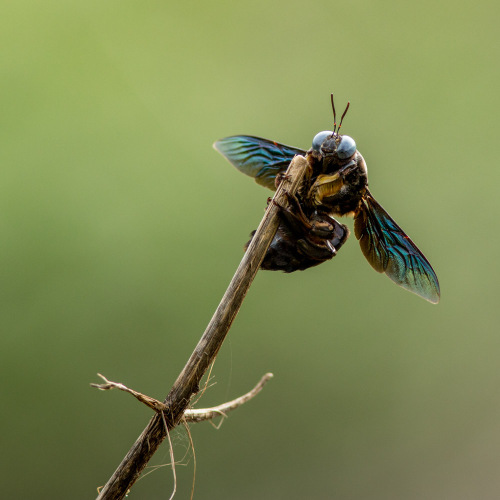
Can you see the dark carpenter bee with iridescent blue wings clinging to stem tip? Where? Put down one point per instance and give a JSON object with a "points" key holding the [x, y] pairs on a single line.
{"points": [[336, 184]]}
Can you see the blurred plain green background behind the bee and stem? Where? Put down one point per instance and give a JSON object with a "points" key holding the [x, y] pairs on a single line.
{"points": [[121, 228]]}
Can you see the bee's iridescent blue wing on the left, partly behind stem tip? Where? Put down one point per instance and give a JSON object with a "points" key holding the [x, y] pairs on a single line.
{"points": [[257, 157]]}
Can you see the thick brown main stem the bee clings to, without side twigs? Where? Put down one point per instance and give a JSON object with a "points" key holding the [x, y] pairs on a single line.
{"points": [[187, 383]]}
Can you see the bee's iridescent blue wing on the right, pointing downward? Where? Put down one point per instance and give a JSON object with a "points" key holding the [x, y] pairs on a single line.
{"points": [[389, 250]]}
